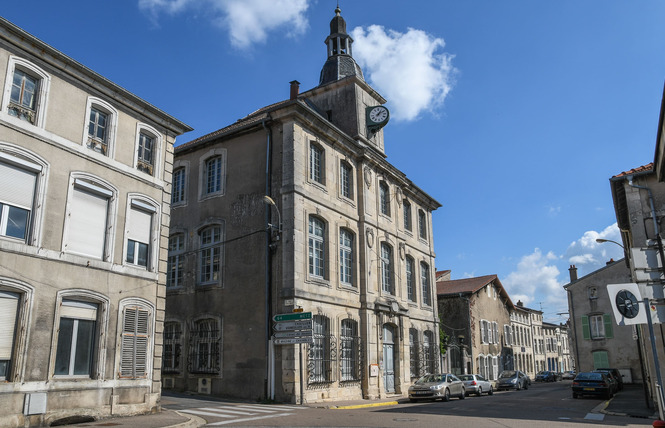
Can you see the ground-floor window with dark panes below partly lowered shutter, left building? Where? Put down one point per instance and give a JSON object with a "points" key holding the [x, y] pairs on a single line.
{"points": [[75, 350]]}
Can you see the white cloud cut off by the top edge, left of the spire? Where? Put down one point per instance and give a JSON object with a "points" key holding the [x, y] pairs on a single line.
{"points": [[248, 22]]}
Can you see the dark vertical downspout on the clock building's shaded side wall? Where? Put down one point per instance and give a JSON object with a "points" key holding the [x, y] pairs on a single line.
{"points": [[268, 262]]}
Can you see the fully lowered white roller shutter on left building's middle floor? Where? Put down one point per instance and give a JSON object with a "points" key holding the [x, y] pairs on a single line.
{"points": [[87, 223]]}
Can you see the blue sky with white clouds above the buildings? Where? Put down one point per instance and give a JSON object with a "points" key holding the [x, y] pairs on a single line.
{"points": [[512, 114]]}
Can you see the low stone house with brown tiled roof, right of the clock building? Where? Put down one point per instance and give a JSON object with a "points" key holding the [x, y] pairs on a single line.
{"points": [[475, 315]]}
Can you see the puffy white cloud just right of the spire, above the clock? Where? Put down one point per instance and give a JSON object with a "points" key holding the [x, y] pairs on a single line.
{"points": [[408, 68]]}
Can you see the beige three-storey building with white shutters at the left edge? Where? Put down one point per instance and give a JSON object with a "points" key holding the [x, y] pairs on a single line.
{"points": [[85, 176]]}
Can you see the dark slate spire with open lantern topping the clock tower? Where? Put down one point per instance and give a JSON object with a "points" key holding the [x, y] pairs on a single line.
{"points": [[340, 62]]}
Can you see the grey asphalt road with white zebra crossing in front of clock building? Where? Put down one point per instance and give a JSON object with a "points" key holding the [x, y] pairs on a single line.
{"points": [[542, 405]]}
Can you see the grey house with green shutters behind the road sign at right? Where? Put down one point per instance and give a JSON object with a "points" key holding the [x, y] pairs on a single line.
{"points": [[597, 340]]}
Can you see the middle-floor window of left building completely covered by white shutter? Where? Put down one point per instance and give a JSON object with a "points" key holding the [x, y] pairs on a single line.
{"points": [[88, 230]]}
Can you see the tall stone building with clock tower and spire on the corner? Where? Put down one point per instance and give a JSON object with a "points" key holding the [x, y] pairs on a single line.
{"points": [[295, 207]]}
